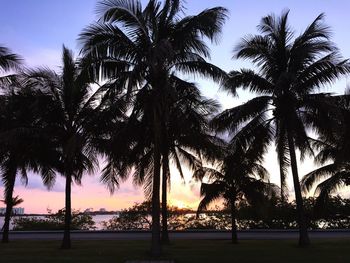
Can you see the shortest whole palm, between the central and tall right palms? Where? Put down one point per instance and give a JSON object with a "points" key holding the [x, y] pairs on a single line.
{"points": [[238, 177]]}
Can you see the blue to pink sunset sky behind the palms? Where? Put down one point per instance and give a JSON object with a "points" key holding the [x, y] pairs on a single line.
{"points": [[37, 29]]}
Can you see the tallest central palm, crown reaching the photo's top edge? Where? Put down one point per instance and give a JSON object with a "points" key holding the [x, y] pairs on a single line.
{"points": [[139, 49]]}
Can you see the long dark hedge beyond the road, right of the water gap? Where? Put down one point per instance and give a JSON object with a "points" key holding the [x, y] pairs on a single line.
{"points": [[274, 215]]}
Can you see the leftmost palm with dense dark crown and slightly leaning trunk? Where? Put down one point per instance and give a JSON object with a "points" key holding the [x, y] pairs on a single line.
{"points": [[23, 146]]}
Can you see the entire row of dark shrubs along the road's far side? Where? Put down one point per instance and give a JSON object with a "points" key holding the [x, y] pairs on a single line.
{"points": [[272, 214]]}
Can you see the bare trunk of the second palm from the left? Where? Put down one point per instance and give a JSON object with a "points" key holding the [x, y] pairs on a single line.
{"points": [[66, 242]]}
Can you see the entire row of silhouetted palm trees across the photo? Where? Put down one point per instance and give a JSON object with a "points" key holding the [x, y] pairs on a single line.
{"points": [[127, 98]]}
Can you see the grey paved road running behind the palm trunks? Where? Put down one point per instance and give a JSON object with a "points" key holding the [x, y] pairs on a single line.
{"points": [[211, 235]]}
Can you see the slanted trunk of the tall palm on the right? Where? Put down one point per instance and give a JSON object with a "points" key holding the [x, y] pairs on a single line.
{"points": [[303, 234]]}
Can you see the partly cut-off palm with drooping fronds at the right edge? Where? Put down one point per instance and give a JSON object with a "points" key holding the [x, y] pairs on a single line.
{"points": [[333, 155]]}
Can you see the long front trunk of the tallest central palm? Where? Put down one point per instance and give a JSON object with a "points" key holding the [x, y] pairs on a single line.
{"points": [[156, 246]]}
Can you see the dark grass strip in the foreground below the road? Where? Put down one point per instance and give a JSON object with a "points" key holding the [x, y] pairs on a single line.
{"points": [[185, 251]]}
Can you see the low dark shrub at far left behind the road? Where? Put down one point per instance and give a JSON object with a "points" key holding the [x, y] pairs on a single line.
{"points": [[80, 221]]}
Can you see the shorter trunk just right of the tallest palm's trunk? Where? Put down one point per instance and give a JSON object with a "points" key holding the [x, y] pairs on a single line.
{"points": [[165, 234]]}
